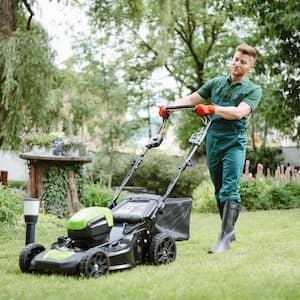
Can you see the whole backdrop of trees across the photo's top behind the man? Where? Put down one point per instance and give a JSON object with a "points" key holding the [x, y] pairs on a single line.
{"points": [[110, 76]]}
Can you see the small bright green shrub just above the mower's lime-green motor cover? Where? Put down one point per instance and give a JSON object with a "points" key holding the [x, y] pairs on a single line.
{"points": [[96, 195]]}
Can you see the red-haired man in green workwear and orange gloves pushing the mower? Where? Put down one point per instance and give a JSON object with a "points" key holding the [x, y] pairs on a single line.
{"points": [[233, 98]]}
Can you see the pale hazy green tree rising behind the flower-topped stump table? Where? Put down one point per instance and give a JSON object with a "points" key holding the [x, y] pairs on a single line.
{"points": [[98, 102]]}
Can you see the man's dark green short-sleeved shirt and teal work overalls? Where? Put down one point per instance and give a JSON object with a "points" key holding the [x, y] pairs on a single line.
{"points": [[226, 139]]}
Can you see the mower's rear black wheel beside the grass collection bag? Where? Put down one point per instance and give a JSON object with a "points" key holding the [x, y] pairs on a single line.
{"points": [[162, 249]]}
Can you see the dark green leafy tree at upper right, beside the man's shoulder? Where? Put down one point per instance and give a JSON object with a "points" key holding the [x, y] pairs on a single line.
{"points": [[278, 36]]}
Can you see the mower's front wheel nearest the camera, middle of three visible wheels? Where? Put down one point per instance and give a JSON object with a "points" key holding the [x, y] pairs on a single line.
{"points": [[94, 264]]}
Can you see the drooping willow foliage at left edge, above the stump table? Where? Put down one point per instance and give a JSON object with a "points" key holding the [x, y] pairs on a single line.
{"points": [[27, 76]]}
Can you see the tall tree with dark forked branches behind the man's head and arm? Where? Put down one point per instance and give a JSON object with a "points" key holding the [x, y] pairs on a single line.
{"points": [[190, 40]]}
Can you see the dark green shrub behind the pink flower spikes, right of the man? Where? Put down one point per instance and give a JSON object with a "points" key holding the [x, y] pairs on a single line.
{"points": [[269, 157]]}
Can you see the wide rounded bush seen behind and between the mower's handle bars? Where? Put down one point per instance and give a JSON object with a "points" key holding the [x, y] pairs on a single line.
{"points": [[155, 174]]}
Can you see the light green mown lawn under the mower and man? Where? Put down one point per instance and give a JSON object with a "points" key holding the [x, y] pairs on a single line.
{"points": [[264, 263]]}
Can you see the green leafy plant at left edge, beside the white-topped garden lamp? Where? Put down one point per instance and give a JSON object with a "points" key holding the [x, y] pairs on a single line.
{"points": [[11, 205]]}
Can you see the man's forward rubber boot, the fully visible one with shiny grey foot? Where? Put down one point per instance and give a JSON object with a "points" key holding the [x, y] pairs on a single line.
{"points": [[230, 213]]}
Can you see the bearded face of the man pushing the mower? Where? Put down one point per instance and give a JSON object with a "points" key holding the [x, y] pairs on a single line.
{"points": [[241, 64]]}
